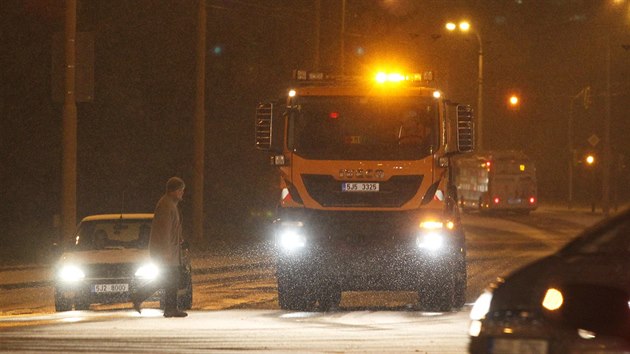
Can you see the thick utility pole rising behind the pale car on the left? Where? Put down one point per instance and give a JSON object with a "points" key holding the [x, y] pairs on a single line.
{"points": [[69, 136]]}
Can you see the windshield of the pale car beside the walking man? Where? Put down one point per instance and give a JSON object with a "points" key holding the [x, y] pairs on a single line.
{"points": [[113, 234]]}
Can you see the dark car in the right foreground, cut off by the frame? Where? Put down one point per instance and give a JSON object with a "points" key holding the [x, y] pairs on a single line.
{"points": [[574, 301]]}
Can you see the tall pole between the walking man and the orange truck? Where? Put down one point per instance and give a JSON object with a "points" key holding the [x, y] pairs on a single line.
{"points": [[199, 125]]}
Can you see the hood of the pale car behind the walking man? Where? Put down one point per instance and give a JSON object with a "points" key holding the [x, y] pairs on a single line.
{"points": [[112, 256]]}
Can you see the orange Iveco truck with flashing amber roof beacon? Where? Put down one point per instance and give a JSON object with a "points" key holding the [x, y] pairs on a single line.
{"points": [[366, 198]]}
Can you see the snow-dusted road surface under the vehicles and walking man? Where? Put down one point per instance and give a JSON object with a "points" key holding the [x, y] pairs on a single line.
{"points": [[235, 304]]}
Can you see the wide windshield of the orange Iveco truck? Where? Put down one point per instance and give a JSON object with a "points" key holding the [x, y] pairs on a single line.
{"points": [[364, 128]]}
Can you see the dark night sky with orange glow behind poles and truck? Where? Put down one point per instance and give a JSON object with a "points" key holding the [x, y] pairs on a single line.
{"points": [[137, 131]]}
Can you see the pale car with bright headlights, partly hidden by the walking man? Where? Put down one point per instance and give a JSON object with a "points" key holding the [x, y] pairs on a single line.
{"points": [[107, 260]]}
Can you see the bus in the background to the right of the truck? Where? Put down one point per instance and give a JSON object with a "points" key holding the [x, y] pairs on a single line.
{"points": [[496, 181]]}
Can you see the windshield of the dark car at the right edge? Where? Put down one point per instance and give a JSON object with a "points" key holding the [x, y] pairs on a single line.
{"points": [[613, 238]]}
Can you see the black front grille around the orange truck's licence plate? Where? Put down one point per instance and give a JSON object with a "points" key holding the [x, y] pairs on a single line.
{"points": [[392, 193]]}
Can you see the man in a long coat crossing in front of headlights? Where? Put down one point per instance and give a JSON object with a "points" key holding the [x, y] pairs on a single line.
{"points": [[165, 249]]}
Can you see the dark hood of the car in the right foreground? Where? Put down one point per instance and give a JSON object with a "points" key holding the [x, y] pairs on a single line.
{"points": [[526, 288]]}
